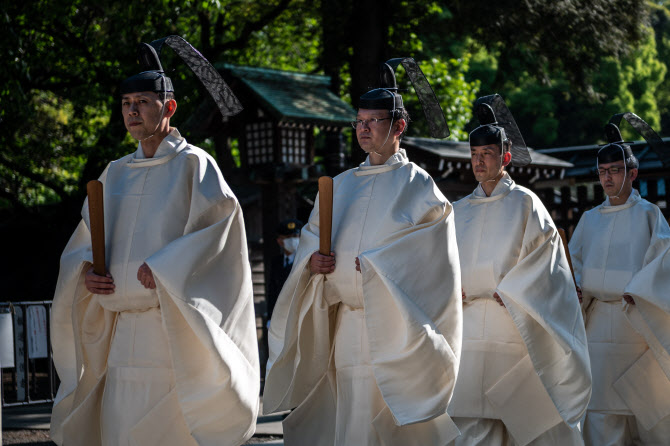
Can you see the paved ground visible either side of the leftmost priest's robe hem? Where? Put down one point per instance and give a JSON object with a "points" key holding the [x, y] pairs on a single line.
{"points": [[29, 426]]}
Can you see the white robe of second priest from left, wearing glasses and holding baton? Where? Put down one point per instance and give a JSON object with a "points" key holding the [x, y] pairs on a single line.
{"points": [[371, 357]]}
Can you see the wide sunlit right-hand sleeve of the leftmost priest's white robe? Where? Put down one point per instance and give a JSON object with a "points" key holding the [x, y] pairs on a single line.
{"points": [[203, 281]]}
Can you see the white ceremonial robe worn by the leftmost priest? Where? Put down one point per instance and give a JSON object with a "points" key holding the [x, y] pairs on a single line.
{"points": [[177, 365]]}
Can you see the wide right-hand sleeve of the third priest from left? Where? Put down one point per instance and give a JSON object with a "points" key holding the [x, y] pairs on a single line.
{"points": [[540, 296]]}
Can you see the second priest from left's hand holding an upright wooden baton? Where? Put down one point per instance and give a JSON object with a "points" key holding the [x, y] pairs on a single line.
{"points": [[323, 261]]}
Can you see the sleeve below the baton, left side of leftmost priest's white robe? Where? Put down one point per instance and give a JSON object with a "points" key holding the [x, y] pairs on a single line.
{"points": [[81, 332]]}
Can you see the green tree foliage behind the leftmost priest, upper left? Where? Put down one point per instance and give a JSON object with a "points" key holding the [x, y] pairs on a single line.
{"points": [[61, 64]]}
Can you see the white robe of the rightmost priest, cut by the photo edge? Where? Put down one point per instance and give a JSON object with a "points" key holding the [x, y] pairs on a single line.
{"points": [[619, 250]]}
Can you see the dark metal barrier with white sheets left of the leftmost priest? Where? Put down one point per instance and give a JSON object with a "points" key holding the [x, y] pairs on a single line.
{"points": [[26, 365]]}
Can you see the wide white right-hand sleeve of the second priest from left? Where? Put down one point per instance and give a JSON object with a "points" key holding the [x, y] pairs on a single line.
{"points": [[413, 313]]}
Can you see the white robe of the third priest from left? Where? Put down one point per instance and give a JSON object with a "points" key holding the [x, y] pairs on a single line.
{"points": [[526, 363]]}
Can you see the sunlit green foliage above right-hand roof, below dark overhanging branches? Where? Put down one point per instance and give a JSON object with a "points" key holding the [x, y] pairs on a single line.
{"points": [[555, 114]]}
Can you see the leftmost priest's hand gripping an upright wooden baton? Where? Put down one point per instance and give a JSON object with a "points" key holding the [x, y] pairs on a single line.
{"points": [[97, 280]]}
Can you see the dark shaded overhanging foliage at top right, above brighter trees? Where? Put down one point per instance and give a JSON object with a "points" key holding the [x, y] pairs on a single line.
{"points": [[549, 37]]}
